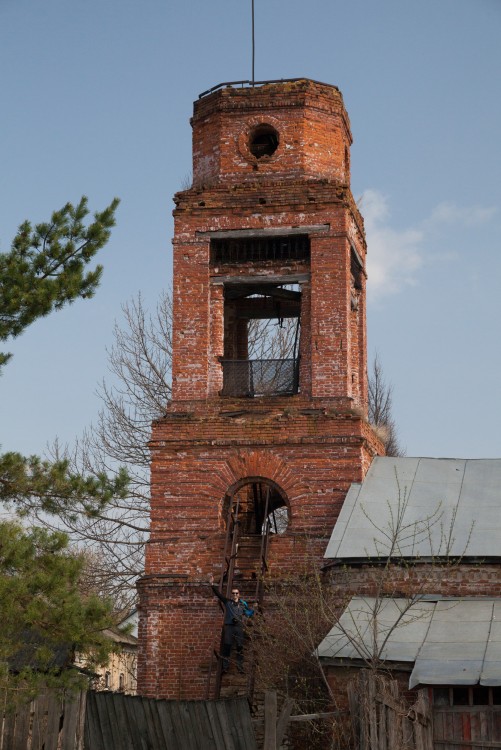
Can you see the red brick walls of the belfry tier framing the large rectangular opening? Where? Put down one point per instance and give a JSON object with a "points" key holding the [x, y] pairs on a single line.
{"points": [[332, 347]]}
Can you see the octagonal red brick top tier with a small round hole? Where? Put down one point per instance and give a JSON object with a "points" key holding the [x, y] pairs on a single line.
{"points": [[311, 121]]}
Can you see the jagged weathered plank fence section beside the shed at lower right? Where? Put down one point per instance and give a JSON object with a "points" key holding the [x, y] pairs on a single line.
{"points": [[382, 720]]}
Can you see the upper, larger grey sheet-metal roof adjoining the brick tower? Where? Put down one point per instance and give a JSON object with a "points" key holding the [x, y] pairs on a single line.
{"points": [[421, 507]]}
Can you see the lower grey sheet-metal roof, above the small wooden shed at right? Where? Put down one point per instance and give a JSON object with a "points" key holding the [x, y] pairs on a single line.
{"points": [[451, 641]]}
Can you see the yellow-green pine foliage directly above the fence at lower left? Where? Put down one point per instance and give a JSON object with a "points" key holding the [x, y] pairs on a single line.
{"points": [[45, 618]]}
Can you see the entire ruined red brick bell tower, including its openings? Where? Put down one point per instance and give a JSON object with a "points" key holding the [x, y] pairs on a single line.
{"points": [[252, 461]]}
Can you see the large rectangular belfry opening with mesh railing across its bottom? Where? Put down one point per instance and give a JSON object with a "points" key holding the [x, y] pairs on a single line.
{"points": [[261, 340]]}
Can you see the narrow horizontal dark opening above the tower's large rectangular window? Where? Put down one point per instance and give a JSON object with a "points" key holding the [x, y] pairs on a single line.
{"points": [[234, 251]]}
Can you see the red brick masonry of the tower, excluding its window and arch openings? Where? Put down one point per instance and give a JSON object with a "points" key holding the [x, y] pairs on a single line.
{"points": [[312, 445]]}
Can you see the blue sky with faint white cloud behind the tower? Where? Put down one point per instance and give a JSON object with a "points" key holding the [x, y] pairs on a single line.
{"points": [[96, 97]]}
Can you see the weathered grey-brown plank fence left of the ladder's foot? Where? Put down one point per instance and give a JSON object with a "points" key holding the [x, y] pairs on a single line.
{"points": [[112, 721]]}
